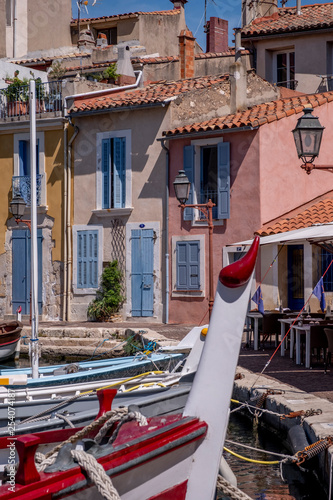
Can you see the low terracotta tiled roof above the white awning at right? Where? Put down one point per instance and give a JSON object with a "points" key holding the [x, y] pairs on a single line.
{"points": [[319, 213]]}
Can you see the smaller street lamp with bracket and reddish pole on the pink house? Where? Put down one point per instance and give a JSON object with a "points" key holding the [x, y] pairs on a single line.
{"points": [[182, 187]]}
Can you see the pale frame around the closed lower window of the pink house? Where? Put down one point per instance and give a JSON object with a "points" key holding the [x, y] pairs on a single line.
{"points": [[175, 292]]}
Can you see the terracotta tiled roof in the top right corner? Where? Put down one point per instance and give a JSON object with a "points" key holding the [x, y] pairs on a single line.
{"points": [[316, 16]]}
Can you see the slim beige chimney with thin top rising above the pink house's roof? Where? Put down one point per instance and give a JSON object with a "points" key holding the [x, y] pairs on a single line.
{"points": [[238, 80]]}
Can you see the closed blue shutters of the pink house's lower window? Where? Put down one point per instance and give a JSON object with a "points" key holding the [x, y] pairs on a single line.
{"points": [[188, 265]]}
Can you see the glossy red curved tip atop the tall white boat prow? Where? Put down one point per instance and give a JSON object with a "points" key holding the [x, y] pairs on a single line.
{"points": [[238, 273]]}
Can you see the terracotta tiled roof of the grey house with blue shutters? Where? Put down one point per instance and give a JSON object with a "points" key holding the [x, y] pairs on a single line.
{"points": [[151, 94]]}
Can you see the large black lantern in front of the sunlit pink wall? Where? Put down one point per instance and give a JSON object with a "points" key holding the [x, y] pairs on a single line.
{"points": [[307, 136]]}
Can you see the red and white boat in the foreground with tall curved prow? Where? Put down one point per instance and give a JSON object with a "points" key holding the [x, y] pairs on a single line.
{"points": [[166, 458]]}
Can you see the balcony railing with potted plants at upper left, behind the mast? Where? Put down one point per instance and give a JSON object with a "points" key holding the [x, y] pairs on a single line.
{"points": [[16, 105]]}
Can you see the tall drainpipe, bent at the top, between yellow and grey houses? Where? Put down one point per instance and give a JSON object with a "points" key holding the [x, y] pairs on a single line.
{"points": [[68, 235]]}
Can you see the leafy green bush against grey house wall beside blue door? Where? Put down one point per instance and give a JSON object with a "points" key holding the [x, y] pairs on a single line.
{"points": [[109, 297]]}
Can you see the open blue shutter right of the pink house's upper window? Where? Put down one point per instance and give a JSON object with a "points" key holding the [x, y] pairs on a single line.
{"points": [[223, 181]]}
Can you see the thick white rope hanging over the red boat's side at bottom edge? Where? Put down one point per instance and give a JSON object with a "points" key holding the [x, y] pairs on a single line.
{"points": [[97, 474]]}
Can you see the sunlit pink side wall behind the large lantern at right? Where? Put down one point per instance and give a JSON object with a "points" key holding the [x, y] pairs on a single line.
{"points": [[284, 186]]}
